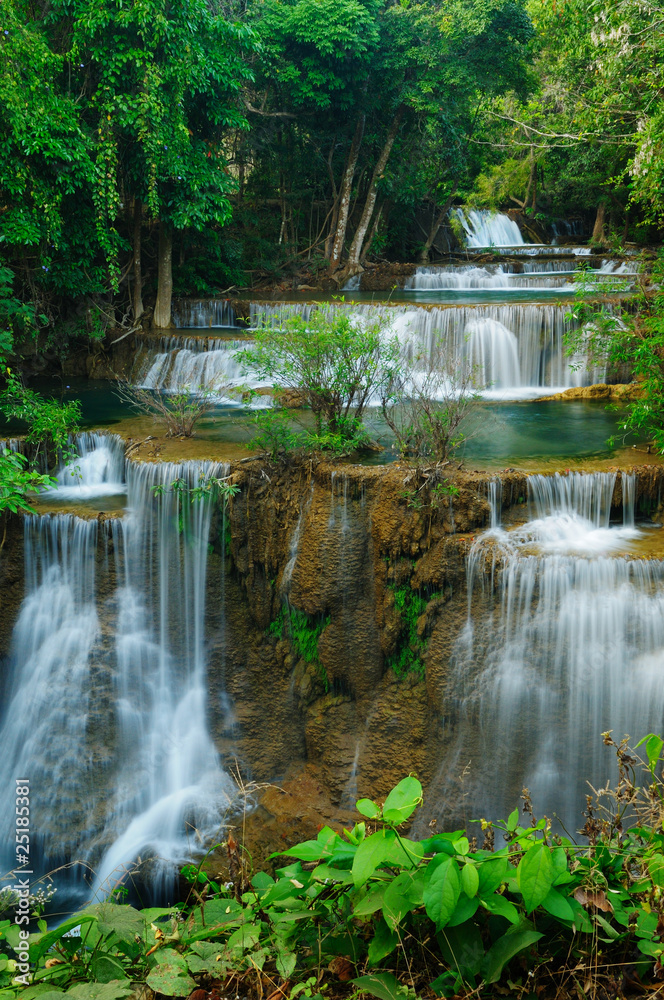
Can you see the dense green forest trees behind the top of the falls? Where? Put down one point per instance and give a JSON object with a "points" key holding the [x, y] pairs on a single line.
{"points": [[156, 147]]}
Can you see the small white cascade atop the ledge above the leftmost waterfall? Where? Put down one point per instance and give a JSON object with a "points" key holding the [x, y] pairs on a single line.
{"points": [[97, 472]]}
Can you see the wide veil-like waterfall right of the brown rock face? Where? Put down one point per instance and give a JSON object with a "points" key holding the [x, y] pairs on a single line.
{"points": [[562, 643]]}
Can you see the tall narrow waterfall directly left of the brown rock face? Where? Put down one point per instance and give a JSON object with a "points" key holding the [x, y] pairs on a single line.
{"points": [[170, 791]]}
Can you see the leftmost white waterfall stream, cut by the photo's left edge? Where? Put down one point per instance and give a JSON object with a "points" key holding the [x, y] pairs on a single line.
{"points": [[44, 729]]}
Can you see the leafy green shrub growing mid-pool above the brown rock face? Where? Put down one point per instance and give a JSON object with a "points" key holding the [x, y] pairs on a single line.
{"points": [[336, 362]]}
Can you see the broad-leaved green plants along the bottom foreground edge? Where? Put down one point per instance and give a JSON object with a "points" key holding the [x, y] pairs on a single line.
{"points": [[530, 911]]}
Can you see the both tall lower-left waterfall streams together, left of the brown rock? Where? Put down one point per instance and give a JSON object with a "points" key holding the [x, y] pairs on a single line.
{"points": [[107, 708]]}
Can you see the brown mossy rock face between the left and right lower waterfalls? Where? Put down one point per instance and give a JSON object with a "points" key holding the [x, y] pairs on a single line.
{"points": [[336, 589]]}
